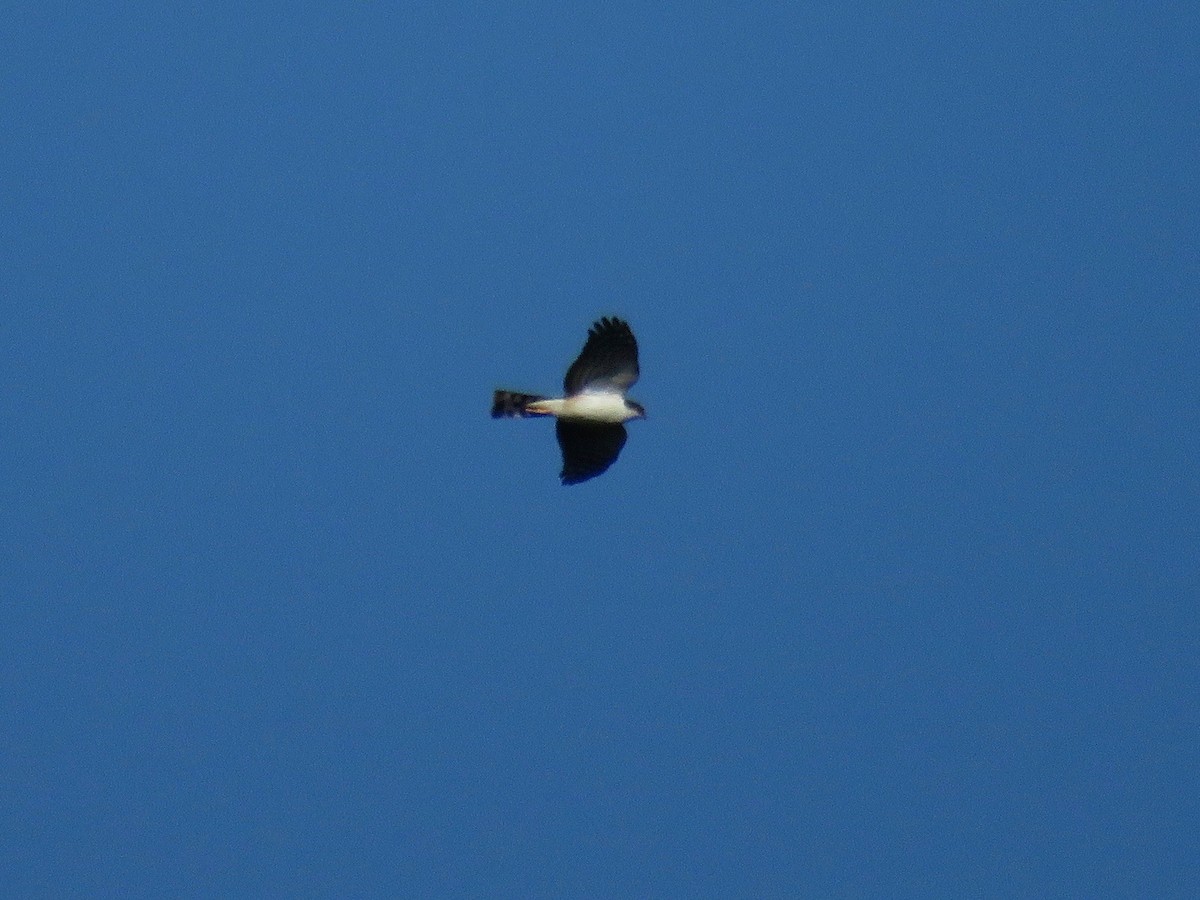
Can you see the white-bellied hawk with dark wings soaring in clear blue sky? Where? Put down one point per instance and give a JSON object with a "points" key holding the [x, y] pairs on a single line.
{"points": [[591, 417]]}
